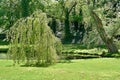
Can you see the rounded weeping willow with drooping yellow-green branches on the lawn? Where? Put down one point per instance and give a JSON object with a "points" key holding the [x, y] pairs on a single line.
{"points": [[32, 41]]}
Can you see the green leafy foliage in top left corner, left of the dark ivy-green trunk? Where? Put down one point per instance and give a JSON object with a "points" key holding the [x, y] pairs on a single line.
{"points": [[10, 12]]}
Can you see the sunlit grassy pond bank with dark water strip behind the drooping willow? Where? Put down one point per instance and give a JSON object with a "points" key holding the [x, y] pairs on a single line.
{"points": [[73, 51]]}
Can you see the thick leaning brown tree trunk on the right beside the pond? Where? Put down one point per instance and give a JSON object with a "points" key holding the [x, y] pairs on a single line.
{"points": [[108, 41]]}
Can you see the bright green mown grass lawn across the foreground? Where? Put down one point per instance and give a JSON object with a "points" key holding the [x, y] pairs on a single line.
{"points": [[83, 69]]}
